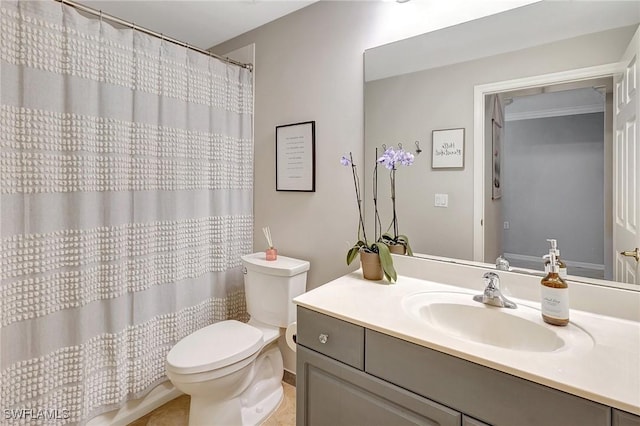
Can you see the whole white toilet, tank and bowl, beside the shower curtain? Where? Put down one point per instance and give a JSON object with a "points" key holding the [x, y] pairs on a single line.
{"points": [[232, 370]]}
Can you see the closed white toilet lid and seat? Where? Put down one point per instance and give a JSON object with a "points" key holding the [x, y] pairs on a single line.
{"points": [[215, 346]]}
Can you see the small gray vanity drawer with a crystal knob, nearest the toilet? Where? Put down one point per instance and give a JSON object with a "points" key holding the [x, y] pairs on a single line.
{"points": [[332, 337]]}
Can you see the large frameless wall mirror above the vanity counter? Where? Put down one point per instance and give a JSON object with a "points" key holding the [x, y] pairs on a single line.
{"points": [[548, 152]]}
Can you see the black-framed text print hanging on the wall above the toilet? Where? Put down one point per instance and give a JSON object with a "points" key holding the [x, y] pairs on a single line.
{"points": [[296, 157]]}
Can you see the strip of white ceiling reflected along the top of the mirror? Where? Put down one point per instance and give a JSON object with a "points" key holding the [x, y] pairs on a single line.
{"points": [[519, 28]]}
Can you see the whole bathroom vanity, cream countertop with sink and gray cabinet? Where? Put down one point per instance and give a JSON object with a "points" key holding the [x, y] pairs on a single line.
{"points": [[363, 359]]}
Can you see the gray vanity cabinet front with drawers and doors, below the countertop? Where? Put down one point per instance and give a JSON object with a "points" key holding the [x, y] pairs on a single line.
{"points": [[349, 375]]}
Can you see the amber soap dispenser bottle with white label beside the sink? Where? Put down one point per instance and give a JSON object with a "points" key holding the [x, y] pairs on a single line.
{"points": [[554, 294]]}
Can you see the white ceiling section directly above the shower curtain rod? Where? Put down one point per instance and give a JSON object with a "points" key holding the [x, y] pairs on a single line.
{"points": [[203, 23]]}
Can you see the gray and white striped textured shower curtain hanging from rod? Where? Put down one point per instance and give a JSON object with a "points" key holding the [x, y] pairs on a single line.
{"points": [[125, 201]]}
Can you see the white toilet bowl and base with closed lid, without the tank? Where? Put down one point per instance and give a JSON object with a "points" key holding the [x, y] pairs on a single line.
{"points": [[231, 372]]}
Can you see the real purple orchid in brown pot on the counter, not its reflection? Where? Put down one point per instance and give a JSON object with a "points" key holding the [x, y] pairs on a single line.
{"points": [[363, 245]]}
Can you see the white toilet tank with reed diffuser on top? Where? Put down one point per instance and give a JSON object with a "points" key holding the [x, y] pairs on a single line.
{"points": [[270, 287]]}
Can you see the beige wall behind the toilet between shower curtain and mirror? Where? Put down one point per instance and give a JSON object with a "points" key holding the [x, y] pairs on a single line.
{"points": [[308, 66]]}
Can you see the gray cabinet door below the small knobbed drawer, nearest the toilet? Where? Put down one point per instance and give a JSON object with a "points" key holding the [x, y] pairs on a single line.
{"points": [[331, 393]]}
